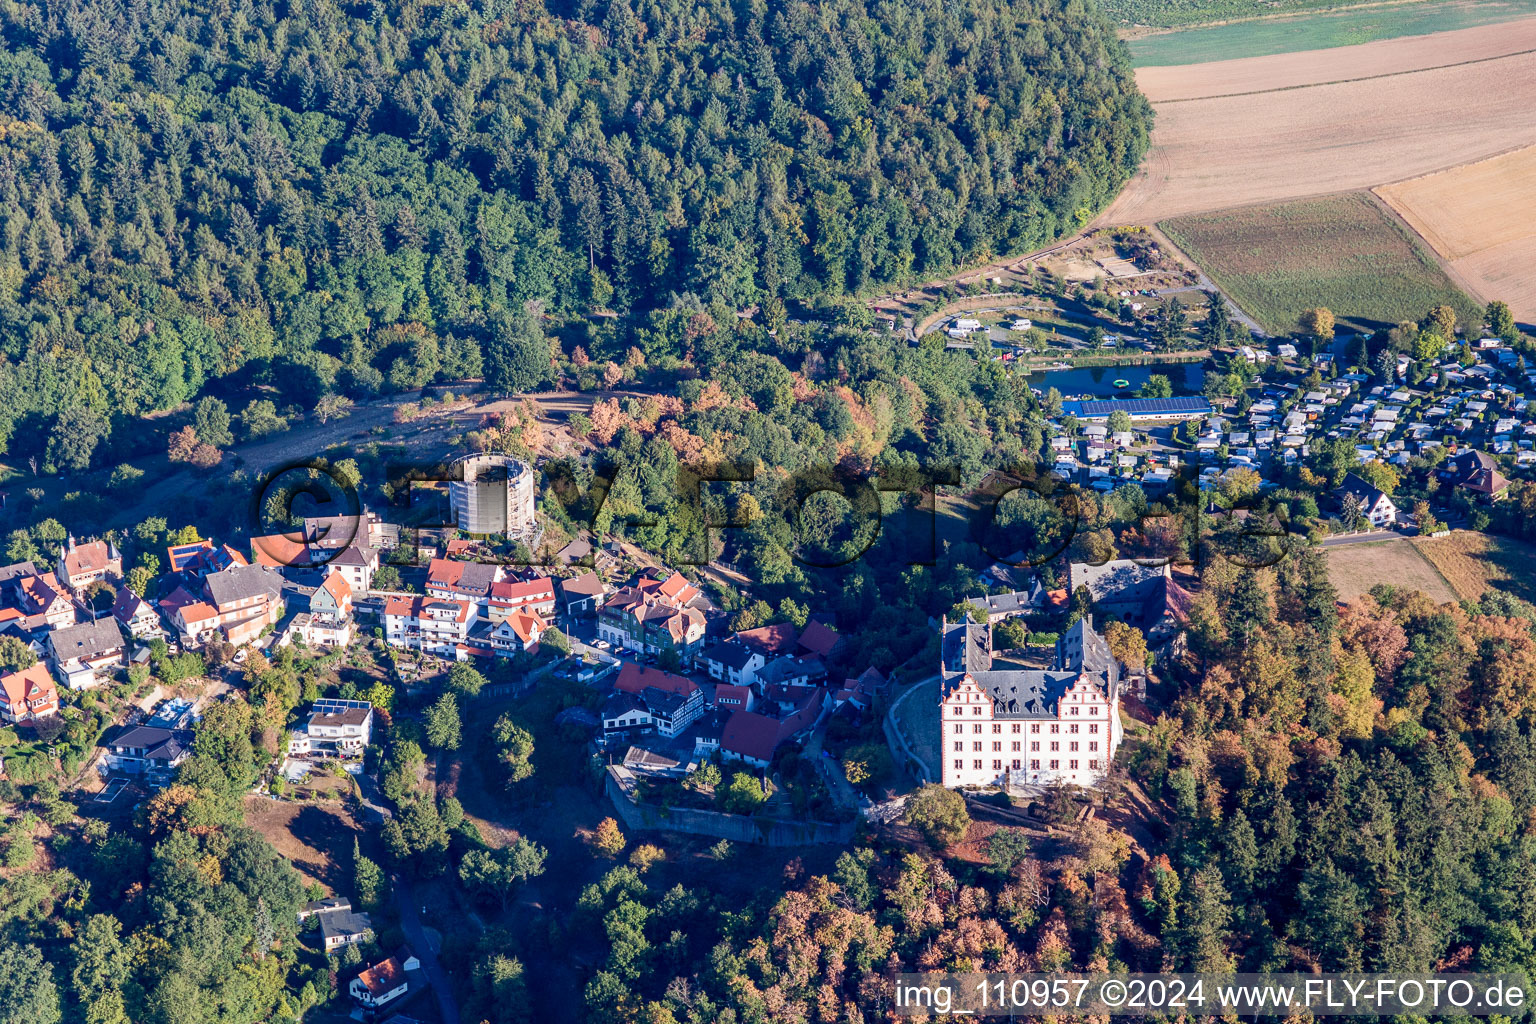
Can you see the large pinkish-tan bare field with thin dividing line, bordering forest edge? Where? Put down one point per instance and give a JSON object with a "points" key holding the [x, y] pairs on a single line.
{"points": [[1299, 130]]}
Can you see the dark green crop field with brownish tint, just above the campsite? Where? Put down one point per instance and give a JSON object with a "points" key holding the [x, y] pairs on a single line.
{"points": [[1343, 251]]}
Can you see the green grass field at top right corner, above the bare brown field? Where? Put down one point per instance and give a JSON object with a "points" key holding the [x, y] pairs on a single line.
{"points": [[1316, 30]]}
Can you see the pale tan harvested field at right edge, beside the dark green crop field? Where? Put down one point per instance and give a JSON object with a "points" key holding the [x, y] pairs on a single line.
{"points": [[1481, 219]]}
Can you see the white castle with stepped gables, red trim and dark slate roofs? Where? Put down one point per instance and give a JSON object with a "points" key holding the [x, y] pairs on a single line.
{"points": [[1031, 727]]}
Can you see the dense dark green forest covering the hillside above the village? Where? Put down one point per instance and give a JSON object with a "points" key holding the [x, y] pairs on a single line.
{"points": [[360, 197]]}
